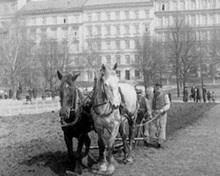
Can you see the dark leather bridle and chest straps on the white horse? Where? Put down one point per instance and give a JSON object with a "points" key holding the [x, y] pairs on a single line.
{"points": [[106, 101]]}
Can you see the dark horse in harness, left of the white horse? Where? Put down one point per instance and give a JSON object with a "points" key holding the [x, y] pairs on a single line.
{"points": [[76, 120]]}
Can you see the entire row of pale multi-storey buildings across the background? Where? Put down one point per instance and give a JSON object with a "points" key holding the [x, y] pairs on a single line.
{"points": [[112, 28]]}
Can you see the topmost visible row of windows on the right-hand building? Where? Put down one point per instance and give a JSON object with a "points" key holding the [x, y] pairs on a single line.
{"points": [[174, 5]]}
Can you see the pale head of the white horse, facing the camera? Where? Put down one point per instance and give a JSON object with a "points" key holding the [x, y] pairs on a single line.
{"points": [[108, 82]]}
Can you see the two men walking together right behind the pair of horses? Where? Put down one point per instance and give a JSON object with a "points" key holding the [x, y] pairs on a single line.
{"points": [[150, 107]]}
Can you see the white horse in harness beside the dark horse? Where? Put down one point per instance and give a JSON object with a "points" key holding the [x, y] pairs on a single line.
{"points": [[107, 98]]}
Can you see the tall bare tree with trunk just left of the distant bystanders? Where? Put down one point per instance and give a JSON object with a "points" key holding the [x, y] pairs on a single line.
{"points": [[181, 49]]}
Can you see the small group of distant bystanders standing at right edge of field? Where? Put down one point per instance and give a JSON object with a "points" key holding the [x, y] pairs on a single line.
{"points": [[198, 95]]}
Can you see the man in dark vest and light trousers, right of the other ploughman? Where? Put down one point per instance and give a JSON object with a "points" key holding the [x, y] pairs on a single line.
{"points": [[160, 105]]}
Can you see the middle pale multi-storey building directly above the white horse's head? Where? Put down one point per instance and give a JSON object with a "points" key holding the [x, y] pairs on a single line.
{"points": [[116, 26]]}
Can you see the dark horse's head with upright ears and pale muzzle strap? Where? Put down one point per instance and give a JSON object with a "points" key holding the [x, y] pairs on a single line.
{"points": [[69, 112]]}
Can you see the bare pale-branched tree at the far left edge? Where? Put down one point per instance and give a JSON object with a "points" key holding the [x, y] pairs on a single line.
{"points": [[17, 53]]}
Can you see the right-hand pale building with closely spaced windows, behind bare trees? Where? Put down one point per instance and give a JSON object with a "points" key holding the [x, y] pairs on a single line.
{"points": [[202, 15]]}
